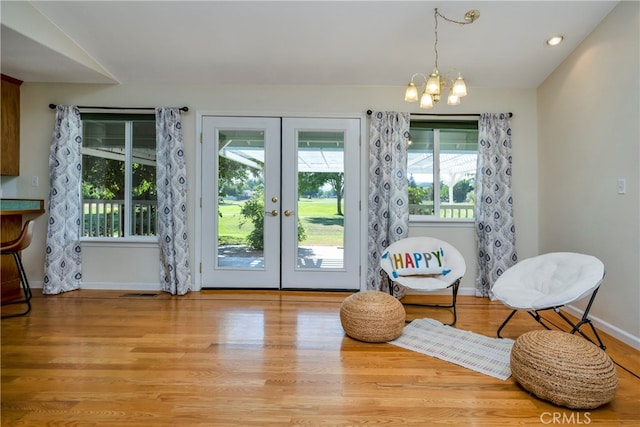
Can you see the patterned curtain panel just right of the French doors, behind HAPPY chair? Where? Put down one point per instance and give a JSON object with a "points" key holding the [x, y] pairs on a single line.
{"points": [[388, 190]]}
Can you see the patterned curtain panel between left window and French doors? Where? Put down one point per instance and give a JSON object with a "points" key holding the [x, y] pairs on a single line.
{"points": [[175, 273]]}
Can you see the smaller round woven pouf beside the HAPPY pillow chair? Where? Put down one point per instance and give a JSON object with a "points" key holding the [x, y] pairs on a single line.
{"points": [[372, 316]]}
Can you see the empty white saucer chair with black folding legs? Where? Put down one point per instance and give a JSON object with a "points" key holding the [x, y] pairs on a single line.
{"points": [[549, 282]]}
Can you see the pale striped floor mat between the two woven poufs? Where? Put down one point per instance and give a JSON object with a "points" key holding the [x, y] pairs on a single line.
{"points": [[489, 356]]}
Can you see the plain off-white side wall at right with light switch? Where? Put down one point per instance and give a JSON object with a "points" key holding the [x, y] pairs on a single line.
{"points": [[588, 113]]}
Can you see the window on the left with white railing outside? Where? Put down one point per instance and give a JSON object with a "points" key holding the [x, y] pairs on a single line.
{"points": [[119, 196]]}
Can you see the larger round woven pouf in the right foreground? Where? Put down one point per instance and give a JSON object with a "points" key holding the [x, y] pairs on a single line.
{"points": [[564, 369]]}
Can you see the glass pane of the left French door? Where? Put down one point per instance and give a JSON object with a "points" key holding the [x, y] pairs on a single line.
{"points": [[240, 230]]}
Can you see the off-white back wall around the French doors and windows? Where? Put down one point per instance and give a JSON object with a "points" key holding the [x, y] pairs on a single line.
{"points": [[136, 267]]}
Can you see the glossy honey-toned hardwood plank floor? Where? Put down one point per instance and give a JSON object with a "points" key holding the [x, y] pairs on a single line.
{"points": [[244, 358]]}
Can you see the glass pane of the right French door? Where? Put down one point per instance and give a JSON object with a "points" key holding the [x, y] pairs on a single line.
{"points": [[321, 200]]}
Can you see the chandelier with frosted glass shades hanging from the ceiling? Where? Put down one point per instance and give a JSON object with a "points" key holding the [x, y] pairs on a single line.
{"points": [[436, 82]]}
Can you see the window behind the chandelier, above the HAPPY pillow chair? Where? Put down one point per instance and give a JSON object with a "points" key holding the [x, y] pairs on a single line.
{"points": [[441, 169]]}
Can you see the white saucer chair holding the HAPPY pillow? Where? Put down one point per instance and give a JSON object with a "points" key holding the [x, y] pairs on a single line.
{"points": [[424, 264]]}
